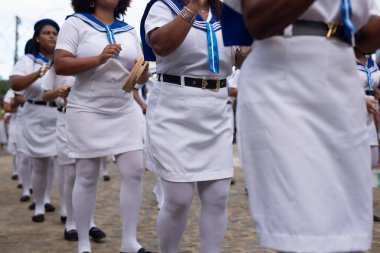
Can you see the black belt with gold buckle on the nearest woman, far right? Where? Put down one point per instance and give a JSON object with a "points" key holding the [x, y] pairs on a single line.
{"points": [[316, 28]]}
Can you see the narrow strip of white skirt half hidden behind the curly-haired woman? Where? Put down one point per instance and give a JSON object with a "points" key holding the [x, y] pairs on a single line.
{"points": [[61, 141]]}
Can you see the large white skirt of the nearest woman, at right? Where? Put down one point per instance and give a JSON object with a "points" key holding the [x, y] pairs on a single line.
{"points": [[304, 146]]}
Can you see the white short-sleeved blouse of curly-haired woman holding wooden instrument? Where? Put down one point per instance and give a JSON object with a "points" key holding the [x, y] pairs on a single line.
{"points": [[99, 89]]}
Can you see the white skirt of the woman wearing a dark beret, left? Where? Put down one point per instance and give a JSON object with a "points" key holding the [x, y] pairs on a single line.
{"points": [[38, 130]]}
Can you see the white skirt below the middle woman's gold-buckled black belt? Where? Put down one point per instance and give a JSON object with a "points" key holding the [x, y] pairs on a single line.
{"points": [[189, 137]]}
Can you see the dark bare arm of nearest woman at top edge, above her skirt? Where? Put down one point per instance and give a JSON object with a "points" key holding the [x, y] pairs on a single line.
{"points": [[265, 18]]}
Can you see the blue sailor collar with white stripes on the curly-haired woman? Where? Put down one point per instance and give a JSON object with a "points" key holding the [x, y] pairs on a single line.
{"points": [[117, 27]]}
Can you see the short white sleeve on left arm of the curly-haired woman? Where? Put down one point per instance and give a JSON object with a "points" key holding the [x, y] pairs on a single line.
{"points": [[68, 37]]}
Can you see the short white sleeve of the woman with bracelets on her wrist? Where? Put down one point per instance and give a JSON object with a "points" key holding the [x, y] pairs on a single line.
{"points": [[159, 15]]}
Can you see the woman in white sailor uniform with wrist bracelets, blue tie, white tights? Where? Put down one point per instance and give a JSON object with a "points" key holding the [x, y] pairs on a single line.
{"points": [[188, 132]]}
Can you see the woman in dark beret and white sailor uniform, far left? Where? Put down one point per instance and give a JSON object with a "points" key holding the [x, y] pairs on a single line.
{"points": [[39, 118]]}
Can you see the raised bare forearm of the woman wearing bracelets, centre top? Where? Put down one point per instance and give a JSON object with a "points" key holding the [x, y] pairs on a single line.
{"points": [[166, 39]]}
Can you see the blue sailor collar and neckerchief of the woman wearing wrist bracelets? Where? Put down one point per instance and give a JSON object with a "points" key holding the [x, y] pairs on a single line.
{"points": [[209, 27]]}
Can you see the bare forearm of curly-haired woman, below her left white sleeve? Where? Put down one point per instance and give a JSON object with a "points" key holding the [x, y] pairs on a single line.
{"points": [[70, 66]]}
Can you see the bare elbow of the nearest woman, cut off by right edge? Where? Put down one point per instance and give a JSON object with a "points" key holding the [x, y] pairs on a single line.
{"points": [[368, 38]]}
